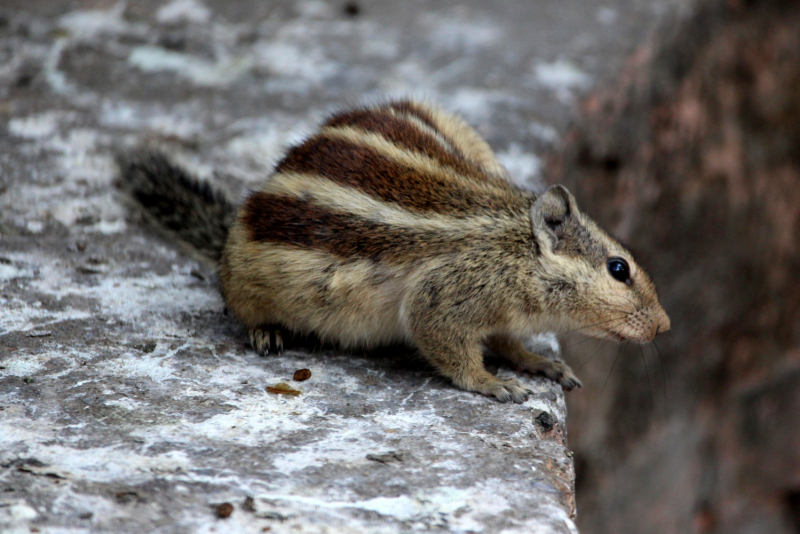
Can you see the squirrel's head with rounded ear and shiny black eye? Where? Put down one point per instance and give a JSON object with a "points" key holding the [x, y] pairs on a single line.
{"points": [[589, 280]]}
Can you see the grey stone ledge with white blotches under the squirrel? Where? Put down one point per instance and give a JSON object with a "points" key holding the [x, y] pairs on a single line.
{"points": [[128, 401]]}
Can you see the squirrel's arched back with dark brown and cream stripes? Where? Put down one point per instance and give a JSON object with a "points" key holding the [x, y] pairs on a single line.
{"points": [[393, 182]]}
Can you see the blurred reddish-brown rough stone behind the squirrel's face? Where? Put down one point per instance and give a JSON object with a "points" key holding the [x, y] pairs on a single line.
{"points": [[694, 159]]}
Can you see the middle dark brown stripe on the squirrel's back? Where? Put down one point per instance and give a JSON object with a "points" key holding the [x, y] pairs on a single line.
{"points": [[363, 168]]}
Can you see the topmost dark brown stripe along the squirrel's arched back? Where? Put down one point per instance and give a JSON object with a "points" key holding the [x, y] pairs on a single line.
{"points": [[405, 135]]}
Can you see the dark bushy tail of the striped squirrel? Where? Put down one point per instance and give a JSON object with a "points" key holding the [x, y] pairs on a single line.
{"points": [[177, 202]]}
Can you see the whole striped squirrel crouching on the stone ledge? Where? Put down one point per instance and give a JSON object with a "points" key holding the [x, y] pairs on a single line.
{"points": [[396, 223]]}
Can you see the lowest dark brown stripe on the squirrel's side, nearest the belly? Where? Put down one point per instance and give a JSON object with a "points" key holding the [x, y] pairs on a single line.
{"points": [[299, 223]]}
